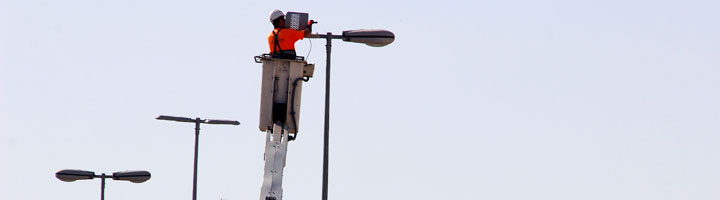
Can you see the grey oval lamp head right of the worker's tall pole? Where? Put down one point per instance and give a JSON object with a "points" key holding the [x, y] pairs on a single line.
{"points": [[370, 37]]}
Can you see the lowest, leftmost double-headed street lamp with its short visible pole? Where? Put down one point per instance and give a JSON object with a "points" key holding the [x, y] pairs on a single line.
{"points": [[70, 175]]}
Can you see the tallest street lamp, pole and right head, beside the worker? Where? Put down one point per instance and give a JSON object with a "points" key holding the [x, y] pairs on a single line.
{"points": [[370, 37]]}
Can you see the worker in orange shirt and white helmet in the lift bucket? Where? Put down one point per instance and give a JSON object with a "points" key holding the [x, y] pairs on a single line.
{"points": [[282, 40]]}
